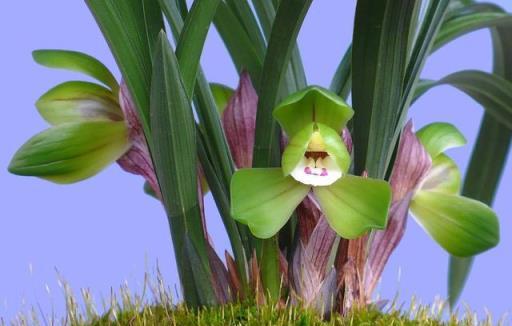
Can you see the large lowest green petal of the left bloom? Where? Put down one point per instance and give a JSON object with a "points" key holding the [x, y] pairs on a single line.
{"points": [[71, 152]]}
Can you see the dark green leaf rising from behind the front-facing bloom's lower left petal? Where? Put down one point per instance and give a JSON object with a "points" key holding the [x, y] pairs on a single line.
{"points": [[285, 29]]}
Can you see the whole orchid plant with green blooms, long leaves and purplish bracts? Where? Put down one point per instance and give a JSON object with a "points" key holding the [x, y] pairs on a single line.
{"points": [[314, 194]]}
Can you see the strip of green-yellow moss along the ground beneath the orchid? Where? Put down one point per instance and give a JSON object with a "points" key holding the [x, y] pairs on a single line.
{"points": [[267, 315]]}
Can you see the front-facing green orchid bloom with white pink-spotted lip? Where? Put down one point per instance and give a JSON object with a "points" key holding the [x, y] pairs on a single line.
{"points": [[315, 159]]}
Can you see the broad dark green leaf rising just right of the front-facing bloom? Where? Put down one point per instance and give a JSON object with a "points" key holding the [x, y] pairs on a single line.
{"points": [[379, 57]]}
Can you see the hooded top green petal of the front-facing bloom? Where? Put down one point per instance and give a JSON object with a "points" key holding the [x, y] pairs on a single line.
{"points": [[312, 104]]}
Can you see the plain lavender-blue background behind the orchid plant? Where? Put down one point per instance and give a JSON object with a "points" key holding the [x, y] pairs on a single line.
{"points": [[104, 232]]}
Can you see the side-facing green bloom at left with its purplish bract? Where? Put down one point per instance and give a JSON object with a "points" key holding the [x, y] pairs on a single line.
{"points": [[92, 126]]}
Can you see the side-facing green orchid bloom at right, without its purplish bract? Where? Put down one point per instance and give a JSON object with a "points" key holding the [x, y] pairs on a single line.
{"points": [[462, 226]]}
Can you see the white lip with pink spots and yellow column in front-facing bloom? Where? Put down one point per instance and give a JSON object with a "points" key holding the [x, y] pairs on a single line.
{"points": [[316, 168]]}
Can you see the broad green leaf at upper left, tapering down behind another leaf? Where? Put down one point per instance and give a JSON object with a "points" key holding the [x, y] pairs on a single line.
{"points": [[131, 29]]}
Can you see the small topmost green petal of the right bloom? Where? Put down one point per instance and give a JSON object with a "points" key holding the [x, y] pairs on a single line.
{"points": [[438, 137]]}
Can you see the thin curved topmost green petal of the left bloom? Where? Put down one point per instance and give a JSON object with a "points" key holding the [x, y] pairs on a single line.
{"points": [[77, 61]]}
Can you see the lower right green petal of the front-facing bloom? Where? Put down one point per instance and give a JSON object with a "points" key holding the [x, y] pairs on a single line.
{"points": [[354, 205]]}
